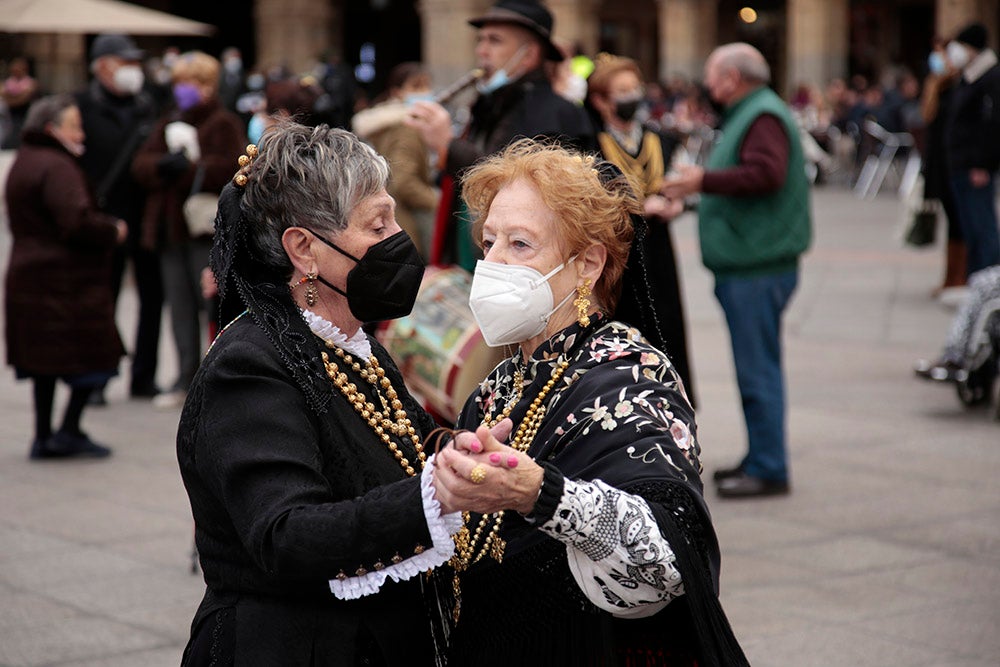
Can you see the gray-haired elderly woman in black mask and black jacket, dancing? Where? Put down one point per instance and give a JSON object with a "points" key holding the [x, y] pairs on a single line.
{"points": [[302, 453]]}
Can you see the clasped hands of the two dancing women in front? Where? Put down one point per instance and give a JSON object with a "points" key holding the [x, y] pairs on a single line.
{"points": [[507, 478]]}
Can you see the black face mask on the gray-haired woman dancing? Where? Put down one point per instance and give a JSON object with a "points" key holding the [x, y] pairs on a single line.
{"points": [[385, 282]]}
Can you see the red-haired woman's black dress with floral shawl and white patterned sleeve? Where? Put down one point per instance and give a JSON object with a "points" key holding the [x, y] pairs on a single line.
{"points": [[620, 437]]}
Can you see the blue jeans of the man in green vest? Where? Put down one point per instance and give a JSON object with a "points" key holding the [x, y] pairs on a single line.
{"points": [[753, 308]]}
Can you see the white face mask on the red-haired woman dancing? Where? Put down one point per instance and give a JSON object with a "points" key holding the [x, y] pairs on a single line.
{"points": [[512, 303]]}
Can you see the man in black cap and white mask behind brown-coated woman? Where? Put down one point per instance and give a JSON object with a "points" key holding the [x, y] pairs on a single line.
{"points": [[117, 115]]}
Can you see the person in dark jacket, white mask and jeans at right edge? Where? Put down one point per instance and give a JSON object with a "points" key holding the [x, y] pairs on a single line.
{"points": [[972, 144]]}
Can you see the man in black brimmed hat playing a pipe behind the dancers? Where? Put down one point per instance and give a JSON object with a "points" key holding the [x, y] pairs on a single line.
{"points": [[516, 99]]}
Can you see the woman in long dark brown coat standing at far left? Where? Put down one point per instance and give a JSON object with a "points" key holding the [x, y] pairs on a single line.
{"points": [[59, 308]]}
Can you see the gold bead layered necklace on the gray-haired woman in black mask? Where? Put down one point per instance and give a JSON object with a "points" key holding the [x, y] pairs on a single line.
{"points": [[378, 419]]}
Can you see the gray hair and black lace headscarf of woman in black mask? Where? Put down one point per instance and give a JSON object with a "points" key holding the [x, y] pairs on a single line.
{"points": [[328, 171]]}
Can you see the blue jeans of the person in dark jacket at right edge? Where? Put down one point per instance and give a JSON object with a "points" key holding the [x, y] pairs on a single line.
{"points": [[977, 216]]}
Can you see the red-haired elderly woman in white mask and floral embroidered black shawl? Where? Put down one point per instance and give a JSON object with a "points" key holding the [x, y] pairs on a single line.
{"points": [[588, 540]]}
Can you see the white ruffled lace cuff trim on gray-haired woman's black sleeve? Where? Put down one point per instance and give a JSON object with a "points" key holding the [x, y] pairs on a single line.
{"points": [[441, 528]]}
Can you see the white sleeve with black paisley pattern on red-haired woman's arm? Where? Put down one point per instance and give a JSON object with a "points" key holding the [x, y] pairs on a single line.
{"points": [[617, 555]]}
